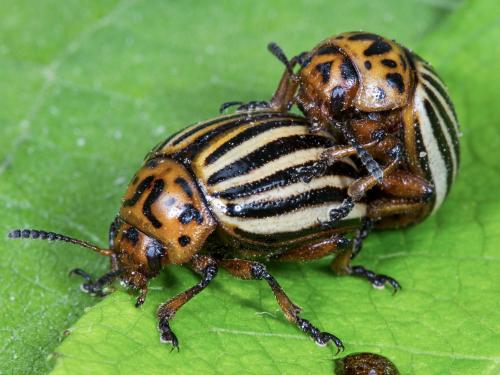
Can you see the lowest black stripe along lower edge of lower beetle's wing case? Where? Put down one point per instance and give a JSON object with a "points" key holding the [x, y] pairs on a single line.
{"points": [[280, 237]]}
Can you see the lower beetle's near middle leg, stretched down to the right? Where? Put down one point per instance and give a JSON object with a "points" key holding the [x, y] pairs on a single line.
{"points": [[249, 270]]}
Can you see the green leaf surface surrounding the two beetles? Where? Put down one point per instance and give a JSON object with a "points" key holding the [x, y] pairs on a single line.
{"points": [[89, 87]]}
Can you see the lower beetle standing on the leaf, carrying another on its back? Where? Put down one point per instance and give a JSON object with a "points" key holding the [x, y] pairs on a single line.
{"points": [[229, 193]]}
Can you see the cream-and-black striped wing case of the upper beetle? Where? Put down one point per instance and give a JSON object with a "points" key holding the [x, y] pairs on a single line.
{"points": [[432, 132]]}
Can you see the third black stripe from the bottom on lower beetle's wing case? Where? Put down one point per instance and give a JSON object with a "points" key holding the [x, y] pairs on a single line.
{"points": [[302, 172]]}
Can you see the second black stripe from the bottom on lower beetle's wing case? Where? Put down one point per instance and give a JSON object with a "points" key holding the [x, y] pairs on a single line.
{"points": [[260, 209]]}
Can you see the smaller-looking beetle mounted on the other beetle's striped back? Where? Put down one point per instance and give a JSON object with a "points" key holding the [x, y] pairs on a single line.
{"points": [[388, 105]]}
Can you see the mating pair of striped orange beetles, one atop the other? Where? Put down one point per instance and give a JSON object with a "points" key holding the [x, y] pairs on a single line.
{"points": [[258, 185]]}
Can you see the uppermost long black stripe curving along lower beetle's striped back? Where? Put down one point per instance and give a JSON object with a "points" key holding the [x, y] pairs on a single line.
{"points": [[187, 154]]}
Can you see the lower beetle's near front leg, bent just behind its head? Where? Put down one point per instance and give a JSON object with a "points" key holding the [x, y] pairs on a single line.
{"points": [[204, 265]]}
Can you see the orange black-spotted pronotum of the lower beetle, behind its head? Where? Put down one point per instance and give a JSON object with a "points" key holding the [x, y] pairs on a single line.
{"points": [[164, 203]]}
